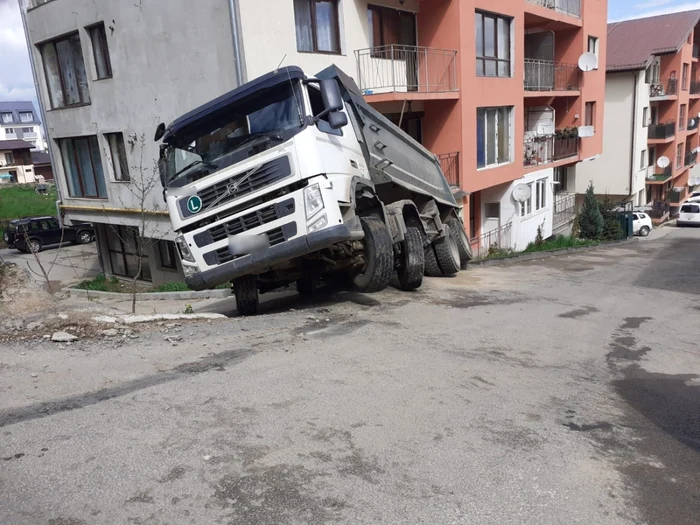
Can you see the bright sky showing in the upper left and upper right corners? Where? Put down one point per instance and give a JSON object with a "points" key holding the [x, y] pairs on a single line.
{"points": [[16, 81]]}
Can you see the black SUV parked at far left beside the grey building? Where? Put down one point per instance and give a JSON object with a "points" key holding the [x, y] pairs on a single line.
{"points": [[34, 233]]}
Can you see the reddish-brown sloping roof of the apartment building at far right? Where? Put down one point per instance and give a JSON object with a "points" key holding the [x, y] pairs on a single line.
{"points": [[632, 43]]}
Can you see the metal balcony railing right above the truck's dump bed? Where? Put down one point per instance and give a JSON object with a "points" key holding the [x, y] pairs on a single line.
{"points": [[393, 68]]}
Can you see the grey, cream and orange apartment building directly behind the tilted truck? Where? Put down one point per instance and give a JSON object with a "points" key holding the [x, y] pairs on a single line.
{"points": [[491, 87]]}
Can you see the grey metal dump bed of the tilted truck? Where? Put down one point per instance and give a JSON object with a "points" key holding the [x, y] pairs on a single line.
{"points": [[392, 155]]}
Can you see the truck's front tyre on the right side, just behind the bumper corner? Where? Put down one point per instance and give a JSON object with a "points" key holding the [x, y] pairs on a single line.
{"points": [[378, 256]]}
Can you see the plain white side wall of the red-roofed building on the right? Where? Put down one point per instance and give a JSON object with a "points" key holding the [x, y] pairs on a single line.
{"points": [[623, 140]]}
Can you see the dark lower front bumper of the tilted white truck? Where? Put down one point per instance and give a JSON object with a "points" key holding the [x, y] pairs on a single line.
{"points": [[261, 261]]}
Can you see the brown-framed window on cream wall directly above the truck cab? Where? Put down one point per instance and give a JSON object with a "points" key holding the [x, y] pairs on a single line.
{"points": [[317, 26]]}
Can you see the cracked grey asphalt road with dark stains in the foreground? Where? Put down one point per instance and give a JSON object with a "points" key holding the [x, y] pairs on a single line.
{"points": [[551, 392]]}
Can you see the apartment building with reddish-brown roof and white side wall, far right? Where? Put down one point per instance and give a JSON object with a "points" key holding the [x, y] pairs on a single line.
{"points": [[652, 111]]}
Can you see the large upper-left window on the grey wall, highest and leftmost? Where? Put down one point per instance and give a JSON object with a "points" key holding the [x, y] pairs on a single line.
{"points": [[65, 72]]}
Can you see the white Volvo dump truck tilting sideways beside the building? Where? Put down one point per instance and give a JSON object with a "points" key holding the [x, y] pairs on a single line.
{"points": [[295, 179]]}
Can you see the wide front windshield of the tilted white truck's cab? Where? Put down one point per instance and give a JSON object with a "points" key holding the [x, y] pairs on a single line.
{"points": [[233, 134]]}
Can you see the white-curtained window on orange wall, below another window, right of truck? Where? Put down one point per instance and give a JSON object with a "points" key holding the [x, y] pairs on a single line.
{"points": [[493, 136]]}
